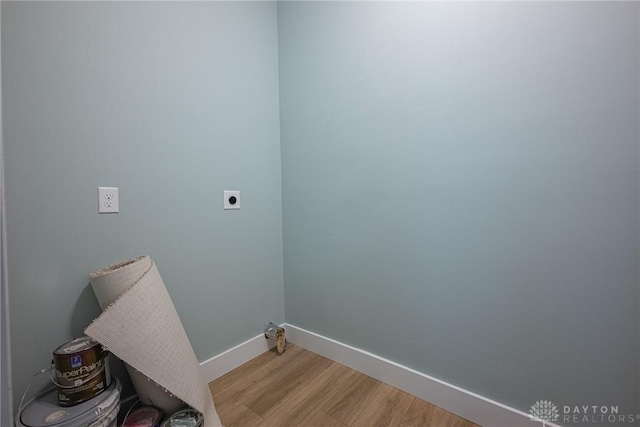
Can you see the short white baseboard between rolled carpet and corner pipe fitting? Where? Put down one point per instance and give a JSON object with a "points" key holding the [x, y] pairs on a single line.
{"points": [[227, 361]]}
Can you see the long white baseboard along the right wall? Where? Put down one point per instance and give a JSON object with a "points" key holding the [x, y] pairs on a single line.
{"points": [[469, 405]]}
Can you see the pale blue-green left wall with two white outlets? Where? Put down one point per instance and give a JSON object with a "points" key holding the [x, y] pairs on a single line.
{"points": [[171, 102]]}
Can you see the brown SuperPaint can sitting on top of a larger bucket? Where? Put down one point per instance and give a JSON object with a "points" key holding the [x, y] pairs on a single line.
{"points": [[81, 371]]}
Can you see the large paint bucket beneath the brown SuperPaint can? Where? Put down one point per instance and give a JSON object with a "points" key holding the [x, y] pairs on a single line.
{"points": [[44, 411]]}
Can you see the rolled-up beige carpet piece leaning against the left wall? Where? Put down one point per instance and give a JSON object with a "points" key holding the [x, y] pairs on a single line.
{"points": [[139, 325]]}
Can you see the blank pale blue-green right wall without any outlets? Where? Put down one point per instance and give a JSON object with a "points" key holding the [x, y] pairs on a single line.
{"points": [[461, 190]]}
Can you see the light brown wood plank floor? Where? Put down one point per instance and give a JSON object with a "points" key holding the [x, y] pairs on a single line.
{"points": [[302, 389]]}
